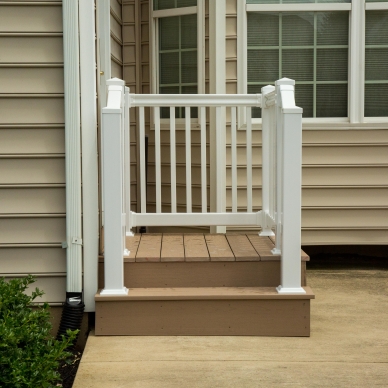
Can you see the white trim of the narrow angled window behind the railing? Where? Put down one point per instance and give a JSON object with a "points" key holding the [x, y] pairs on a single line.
{"points": [[155, 15]]}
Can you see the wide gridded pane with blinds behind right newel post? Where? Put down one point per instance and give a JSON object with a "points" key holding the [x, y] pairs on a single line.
{"points": [[310, 47]]}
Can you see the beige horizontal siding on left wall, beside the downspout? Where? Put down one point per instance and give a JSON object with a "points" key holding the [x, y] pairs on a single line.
{"points": [[32, 145]]}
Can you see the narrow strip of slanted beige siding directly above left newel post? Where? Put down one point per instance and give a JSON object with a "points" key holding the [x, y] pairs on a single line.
{"points": [[116, 39]]}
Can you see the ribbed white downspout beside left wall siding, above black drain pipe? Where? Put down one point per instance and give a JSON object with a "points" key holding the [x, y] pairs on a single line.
{"points": [[72, 146]]}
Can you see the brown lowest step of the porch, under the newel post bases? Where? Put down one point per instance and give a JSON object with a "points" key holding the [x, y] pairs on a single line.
{"points": [[204, 311]]}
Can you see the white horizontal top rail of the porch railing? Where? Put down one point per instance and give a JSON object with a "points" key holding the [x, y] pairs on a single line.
{"points": [[195, 100]]}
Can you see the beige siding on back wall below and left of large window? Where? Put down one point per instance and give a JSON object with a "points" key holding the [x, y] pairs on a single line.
{"points": [[344, 175]]}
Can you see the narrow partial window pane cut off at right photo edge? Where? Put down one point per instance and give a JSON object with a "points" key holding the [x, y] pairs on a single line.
{"points": [[376, 63]]}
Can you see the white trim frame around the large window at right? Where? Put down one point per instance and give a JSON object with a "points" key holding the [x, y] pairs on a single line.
{"points": [[357, 9]]}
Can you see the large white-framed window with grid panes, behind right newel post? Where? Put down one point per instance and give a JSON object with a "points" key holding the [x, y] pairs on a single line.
{"points": [[324, 45]]}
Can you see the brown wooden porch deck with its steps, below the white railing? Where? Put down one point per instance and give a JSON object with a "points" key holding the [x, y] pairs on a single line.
{"points": [[202, 284]]}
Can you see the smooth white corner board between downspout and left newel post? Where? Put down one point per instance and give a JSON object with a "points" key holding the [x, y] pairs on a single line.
{"points": [[89, 150]]}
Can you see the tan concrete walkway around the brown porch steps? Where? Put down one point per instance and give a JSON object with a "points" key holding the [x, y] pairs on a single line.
{"points": [[348, 347]]}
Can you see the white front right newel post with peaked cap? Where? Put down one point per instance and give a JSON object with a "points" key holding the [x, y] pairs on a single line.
{"points": [[291, 117]]}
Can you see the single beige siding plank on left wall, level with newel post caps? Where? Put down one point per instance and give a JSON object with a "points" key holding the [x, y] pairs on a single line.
{"points": [[31, 80]]}
